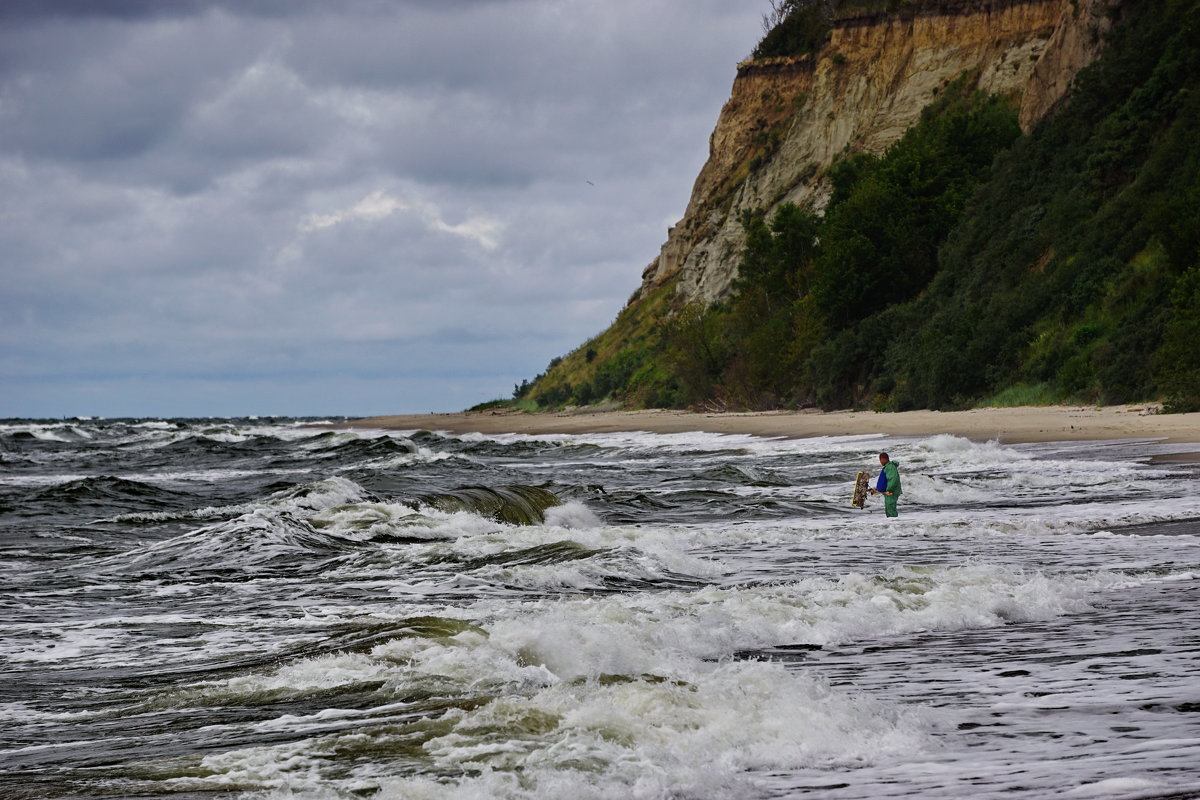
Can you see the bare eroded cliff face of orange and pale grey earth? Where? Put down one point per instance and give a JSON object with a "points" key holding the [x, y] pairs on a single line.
{"points": [[789, 119]]}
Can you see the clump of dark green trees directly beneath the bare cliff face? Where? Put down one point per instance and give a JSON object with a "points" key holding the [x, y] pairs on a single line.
{"points": [[805, 326]]}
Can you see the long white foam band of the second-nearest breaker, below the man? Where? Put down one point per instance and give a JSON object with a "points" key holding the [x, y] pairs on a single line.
{"points": [[677, 634]]}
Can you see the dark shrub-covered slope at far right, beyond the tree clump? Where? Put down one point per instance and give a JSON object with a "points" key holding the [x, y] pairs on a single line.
{"points": [[1075, 269]]}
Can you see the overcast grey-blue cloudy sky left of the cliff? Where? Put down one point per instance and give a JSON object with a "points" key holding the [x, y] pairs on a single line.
{"points": [[344, 207]]}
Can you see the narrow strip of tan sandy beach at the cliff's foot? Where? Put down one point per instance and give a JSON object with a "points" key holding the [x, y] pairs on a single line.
{"points": [[1005, 425]]}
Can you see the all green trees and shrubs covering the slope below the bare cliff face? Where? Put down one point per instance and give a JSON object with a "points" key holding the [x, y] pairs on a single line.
{"points": [[968, 263]]}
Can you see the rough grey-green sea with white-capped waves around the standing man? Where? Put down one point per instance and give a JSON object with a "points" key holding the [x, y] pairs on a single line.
{"points": [[273, 609]]}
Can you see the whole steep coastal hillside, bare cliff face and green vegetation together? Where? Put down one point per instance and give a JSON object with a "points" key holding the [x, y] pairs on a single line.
{"points": [[931, 206]]}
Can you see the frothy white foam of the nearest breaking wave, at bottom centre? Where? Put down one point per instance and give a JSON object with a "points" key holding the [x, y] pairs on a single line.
{"points": [[665, 738]]}
